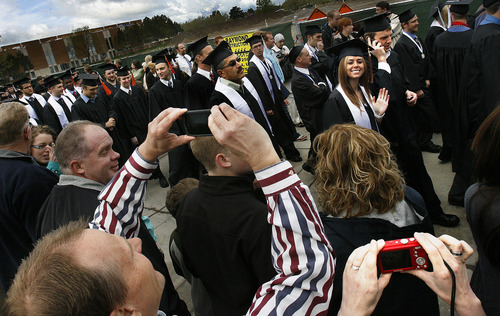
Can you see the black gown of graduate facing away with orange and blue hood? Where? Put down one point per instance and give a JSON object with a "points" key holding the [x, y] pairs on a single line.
{"points": [[450, 49]]}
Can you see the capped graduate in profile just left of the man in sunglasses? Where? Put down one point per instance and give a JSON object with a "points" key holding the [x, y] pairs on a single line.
{"points": [[200, 86]]}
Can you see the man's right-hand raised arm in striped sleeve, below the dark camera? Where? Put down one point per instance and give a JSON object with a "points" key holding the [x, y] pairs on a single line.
{"points": [[302, 255]]}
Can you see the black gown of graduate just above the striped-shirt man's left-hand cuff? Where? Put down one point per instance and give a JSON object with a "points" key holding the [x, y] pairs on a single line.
{"points": [[132, 113]]}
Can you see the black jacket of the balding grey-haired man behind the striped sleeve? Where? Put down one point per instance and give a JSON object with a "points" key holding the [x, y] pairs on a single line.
{"points": [[69, 203]]}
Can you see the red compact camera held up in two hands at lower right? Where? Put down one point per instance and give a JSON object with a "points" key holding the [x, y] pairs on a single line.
{"points": [[402, 254]]}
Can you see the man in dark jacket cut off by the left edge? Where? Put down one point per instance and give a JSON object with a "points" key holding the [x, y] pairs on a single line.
{"points": [[24, 186]]}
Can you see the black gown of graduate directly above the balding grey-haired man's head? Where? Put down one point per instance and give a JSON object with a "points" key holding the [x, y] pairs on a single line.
{"points": [[100, 112]]}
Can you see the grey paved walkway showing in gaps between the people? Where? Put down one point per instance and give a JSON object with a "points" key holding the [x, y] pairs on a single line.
{"points": [[164, 223]]}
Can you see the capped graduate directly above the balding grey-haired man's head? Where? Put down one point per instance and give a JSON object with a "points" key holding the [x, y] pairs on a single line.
{"points": [[92, 107]]}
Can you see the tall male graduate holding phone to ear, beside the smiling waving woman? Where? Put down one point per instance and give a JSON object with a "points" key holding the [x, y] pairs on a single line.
{"points": [[396, 125]]}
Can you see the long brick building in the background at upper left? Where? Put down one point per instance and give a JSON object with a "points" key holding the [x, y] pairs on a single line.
{"points": [[58, 53]]}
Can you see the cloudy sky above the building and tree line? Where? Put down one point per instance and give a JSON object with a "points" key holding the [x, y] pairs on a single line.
{"points": [[24, 20]]}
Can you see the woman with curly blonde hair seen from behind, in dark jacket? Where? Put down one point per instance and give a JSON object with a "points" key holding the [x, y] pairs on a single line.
{"points": [[363, 197]]}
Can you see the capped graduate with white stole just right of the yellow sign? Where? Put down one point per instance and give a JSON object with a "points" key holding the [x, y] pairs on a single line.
{"points": [[263, 77]]}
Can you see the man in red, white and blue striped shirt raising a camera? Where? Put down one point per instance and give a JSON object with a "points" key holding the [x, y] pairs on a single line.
{"points": [[302, 255]]}
